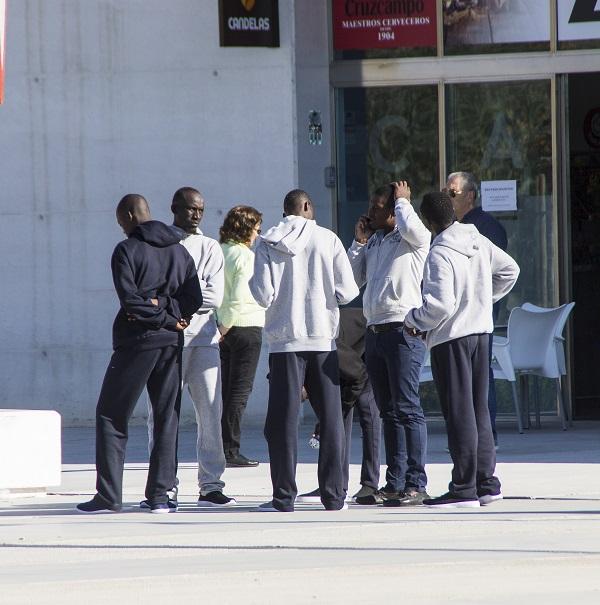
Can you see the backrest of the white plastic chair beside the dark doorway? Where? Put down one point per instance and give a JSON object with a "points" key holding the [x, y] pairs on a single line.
{"points": [[531, 337]]}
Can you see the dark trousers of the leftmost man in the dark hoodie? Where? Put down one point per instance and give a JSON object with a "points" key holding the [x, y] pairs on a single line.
{"points": [[129, 371]]}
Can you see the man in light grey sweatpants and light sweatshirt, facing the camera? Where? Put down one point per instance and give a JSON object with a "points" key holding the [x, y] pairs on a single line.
{"points": [[201, 363]]}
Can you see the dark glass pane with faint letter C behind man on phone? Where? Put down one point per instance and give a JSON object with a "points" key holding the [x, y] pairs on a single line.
{"points": [[384, 134]]}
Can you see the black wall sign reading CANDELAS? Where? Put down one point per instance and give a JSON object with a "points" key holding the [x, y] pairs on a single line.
{"points": [[249, 22]]}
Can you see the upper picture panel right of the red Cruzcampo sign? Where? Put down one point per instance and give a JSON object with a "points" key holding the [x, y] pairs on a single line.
{"points": [[496, 26]]}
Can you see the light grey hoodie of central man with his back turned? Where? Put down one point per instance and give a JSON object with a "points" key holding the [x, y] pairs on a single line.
{"points": [[301, 275]]}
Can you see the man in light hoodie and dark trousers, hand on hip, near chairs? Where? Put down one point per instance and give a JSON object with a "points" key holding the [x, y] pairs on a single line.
{"points": [[465, 274]]}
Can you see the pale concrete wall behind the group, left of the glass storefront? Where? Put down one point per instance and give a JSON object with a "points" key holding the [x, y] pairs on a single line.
{"points": [[105, 97]]}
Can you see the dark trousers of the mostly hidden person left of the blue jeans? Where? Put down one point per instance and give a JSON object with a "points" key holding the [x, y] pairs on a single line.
{"points": [[370, 425]]}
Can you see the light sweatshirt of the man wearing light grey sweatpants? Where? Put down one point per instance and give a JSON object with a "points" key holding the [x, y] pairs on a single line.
{"points": [[208, 258]]}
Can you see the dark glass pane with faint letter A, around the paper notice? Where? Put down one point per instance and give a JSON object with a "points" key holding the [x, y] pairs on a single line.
{"points": [[502, 131]]}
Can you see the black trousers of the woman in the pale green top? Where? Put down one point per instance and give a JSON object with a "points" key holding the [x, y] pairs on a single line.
{"points": [[240, 350]]}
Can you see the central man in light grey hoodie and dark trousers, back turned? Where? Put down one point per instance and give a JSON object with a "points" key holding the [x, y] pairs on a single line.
{"points": [[301, 275]]}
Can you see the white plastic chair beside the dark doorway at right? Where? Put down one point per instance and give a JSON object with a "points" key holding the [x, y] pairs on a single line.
{"points": [[534, 346]]}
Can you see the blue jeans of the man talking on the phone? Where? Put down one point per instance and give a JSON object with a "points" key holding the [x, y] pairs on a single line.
{"points": [[394, 361]]}
